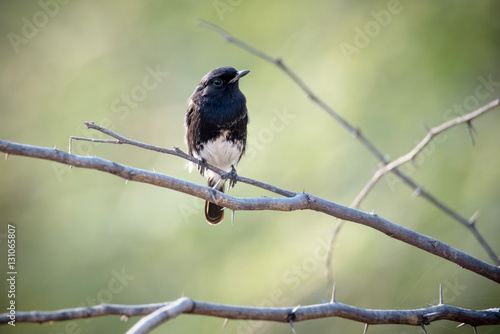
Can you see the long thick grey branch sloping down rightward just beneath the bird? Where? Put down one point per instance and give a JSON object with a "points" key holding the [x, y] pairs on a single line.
{"points": [[299, 201]]}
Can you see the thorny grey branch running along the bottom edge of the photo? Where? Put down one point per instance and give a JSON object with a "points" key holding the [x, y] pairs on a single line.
{"points": [[161, 312]]}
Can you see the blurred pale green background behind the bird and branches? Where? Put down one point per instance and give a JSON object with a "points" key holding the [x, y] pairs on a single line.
{"points": [[86, 237]]}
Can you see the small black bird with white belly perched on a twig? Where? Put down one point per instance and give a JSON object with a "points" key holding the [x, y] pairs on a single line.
{"points": [[216, 128]]}
